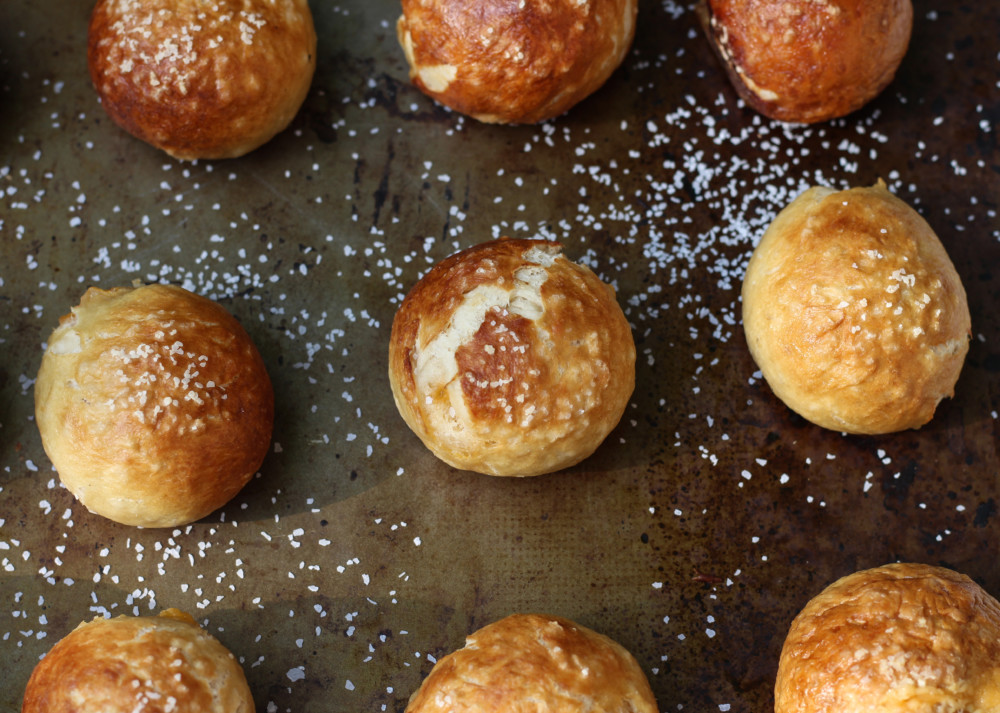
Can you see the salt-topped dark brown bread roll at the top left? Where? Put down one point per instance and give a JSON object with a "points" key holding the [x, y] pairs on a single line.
{"points": [[202, 79]]}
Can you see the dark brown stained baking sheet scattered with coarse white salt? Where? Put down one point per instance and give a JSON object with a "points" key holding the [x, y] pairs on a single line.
{"points": [[355, 559]]}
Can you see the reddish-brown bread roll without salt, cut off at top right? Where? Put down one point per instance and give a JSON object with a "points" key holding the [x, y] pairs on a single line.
{"points": [[805, 61]]}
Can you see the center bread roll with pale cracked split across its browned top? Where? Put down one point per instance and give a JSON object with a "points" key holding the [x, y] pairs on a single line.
{"points": [[509, 359]]}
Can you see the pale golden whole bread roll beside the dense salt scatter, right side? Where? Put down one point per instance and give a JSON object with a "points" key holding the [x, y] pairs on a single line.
{"points": [[854, 313]]}
